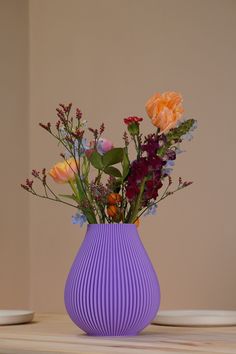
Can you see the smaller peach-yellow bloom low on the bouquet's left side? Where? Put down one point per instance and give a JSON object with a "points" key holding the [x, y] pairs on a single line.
{"points": [[63, 172]]}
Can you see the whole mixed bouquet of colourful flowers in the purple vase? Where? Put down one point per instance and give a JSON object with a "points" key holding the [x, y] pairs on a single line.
{"points": [[107, 184]]}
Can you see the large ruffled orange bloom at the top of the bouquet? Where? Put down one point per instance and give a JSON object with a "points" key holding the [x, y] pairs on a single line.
{"points": [[165, 109]]}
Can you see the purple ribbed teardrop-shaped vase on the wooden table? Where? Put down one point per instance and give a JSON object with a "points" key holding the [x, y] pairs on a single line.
{"points": [[112, 288]]}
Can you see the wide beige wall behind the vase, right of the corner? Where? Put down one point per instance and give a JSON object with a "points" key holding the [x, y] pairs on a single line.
{"points": [[108, 57]]}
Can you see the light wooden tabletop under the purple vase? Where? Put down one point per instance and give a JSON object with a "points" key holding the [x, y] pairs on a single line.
{"points": [[57, 334]]}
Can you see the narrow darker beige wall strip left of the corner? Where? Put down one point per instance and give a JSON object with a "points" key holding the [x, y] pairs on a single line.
{"points": [[14, 148]]}
